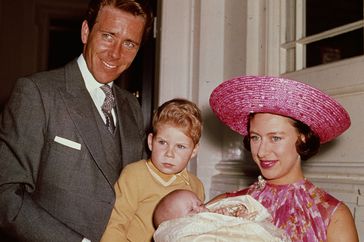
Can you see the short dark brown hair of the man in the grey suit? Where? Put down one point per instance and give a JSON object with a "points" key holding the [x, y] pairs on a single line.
{"points": [[135, 7]]}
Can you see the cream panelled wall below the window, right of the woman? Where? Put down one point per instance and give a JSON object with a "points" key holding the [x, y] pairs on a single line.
{"points": [[339, 167]]}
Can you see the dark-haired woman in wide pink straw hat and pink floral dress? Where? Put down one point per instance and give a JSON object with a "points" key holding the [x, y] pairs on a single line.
{"points": [[284, 122]]}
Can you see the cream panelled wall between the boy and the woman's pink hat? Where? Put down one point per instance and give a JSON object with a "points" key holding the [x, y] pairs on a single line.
{"points": [[202, 44]]}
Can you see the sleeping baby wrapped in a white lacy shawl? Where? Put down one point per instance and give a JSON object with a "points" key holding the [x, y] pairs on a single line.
{"points": [[181, 216]]}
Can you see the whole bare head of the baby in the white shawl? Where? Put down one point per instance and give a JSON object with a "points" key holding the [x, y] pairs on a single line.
{"points": [[177, 204]]}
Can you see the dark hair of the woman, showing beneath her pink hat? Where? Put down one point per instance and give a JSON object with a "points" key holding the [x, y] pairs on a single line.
{"points": [[306, 149]]}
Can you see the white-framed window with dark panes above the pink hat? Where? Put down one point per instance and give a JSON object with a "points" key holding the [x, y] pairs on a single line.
{"points": [[321, 31]]}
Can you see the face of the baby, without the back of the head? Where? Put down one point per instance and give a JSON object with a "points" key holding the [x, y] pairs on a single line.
{"points": [[189, 204]]}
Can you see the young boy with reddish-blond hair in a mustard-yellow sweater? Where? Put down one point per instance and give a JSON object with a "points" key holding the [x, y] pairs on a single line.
{"points": [[177, 127]]}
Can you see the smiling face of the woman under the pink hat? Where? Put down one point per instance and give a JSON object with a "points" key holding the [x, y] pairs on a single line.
{"points": [[273, 147]]}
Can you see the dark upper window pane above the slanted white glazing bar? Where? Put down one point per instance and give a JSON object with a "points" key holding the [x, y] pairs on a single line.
{"points": [[323, 15]]}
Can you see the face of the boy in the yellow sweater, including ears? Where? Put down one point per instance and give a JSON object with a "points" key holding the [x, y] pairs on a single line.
{"points": [[171, 149]]}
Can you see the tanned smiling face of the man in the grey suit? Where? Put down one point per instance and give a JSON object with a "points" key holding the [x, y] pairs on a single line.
{"points": [[112, 44]]}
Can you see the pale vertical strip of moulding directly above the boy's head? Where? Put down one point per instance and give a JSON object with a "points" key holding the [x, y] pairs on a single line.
{"points": [[177, 49]]}
